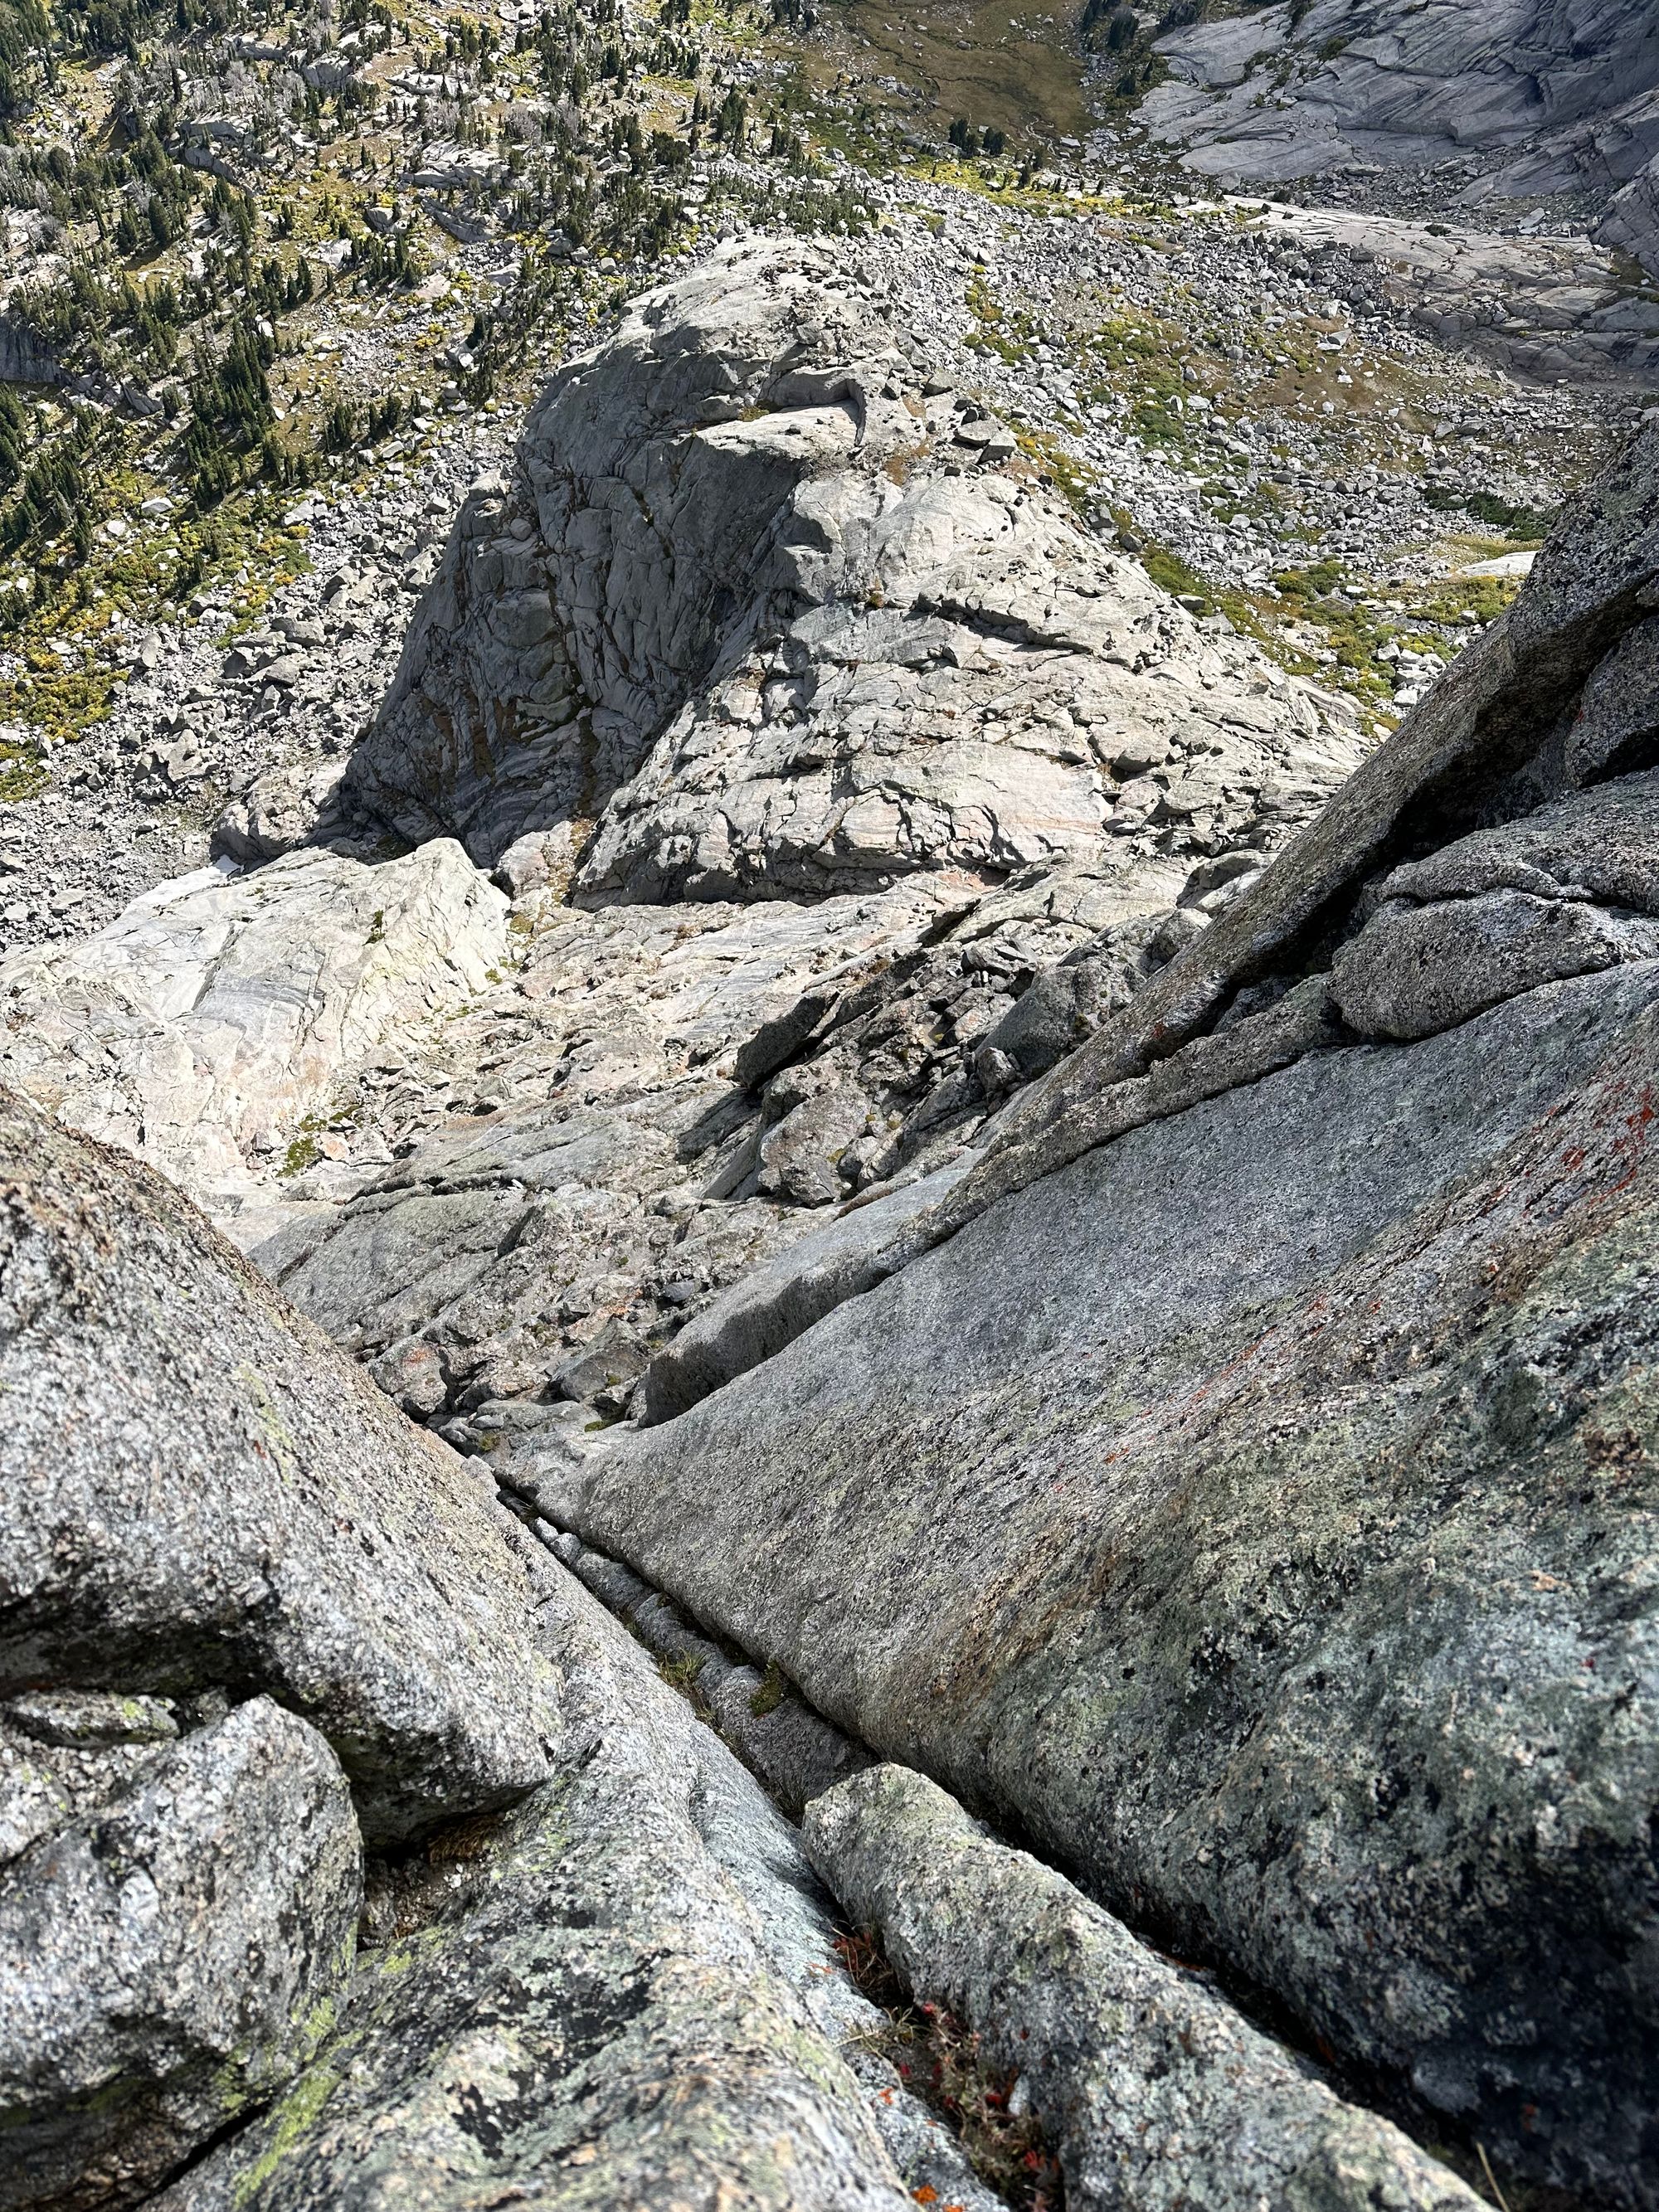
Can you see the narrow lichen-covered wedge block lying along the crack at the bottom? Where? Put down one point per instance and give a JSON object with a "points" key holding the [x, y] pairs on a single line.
{"points": [[1149, 2083]]}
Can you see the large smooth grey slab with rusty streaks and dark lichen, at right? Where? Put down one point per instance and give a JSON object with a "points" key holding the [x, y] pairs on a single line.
{"points": [[1211, 1556]]}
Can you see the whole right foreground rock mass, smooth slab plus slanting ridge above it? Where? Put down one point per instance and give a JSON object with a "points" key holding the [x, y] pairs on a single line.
{"points": [[1240, 1479]]}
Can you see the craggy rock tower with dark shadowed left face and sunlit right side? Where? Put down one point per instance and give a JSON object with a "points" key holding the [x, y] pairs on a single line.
{"points": [[755, 616]]}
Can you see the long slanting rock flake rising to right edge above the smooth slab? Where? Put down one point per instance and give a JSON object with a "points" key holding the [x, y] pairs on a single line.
{"points": [[1512, 729]]}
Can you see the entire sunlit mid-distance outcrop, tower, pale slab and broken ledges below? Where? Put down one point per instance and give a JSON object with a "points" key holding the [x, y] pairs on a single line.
{"points": [[1016, 751]]}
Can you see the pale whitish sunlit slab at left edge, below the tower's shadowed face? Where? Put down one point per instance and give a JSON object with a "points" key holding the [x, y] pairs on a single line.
{"points": [[216, 1016]]}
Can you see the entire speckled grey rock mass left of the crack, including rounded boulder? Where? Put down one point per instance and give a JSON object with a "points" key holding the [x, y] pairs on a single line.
{"points": [[605, 1974]]}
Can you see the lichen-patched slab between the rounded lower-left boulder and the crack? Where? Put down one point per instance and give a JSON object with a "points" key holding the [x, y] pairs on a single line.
{"points": [[636, 2007]]}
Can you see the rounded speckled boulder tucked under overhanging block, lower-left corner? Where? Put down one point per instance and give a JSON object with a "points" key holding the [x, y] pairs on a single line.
{"points": [[174, 1959]]}
